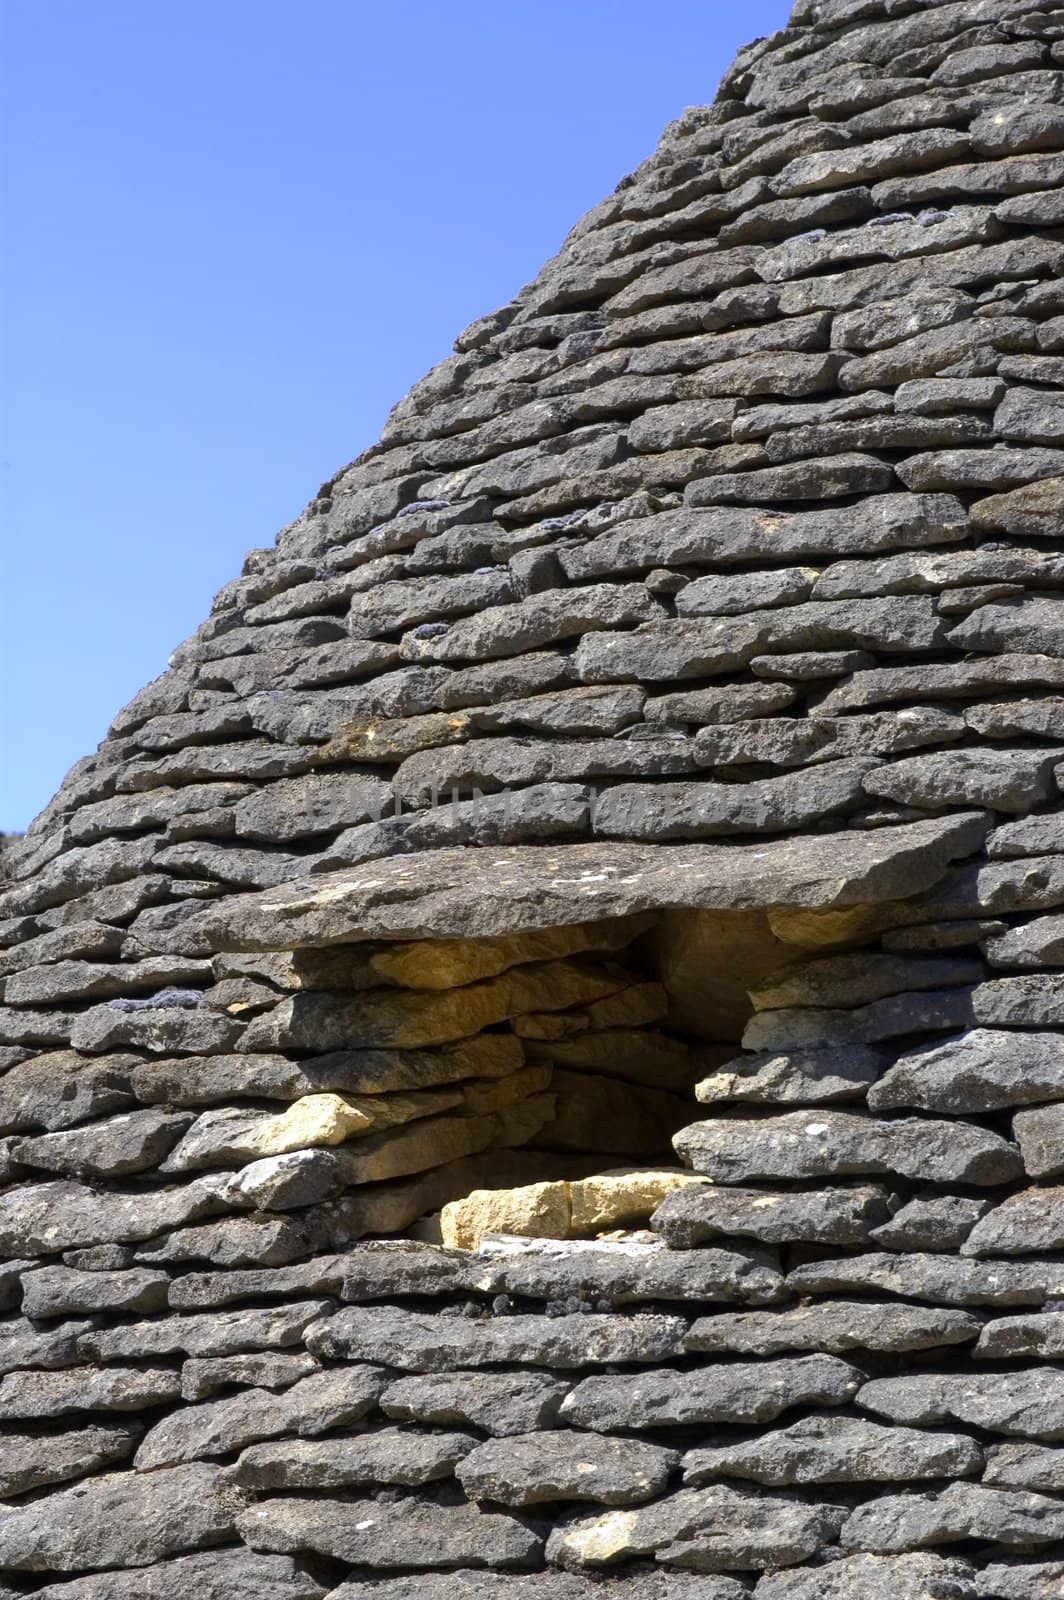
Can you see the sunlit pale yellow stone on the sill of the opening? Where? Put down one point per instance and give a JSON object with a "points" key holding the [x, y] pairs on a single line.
{"points": [[561, 1210]]}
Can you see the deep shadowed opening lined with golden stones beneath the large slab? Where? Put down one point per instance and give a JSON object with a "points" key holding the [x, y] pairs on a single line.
{"points": [[526, 1084]]}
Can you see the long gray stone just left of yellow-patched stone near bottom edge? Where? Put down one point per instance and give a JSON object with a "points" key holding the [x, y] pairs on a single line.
{"points": [[407, 1534]]}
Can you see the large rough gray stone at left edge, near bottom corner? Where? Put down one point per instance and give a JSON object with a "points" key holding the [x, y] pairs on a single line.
{"points": [[126, 1519]]}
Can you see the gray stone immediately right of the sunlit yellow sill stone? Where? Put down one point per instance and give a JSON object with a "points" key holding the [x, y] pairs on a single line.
{"points": [[825, 1217]]}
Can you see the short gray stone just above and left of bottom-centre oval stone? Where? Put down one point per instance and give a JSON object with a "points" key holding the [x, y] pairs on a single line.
{"points": [[502, 1404]]}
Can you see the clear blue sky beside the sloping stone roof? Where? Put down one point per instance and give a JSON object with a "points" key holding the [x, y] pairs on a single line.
{"points": [[236, 233]]}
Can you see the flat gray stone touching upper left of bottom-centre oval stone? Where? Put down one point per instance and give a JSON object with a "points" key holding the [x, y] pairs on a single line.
{"points": [[390, 1455]]}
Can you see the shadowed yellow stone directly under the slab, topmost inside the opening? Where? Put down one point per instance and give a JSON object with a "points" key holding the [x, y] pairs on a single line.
{"points": [[446, 964]]}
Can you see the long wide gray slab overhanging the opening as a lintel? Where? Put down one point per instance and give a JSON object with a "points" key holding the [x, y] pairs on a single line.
{"points": [[474, 894]]}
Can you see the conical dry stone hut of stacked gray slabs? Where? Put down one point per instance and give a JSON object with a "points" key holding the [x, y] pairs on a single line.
{"points": [[535, 1054]]}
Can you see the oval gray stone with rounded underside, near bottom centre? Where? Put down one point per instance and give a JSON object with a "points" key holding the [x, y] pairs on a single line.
{"points": [[559, 1466]]}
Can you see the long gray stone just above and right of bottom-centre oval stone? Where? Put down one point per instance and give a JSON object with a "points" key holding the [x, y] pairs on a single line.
{"points": [[724, 1393]]}
